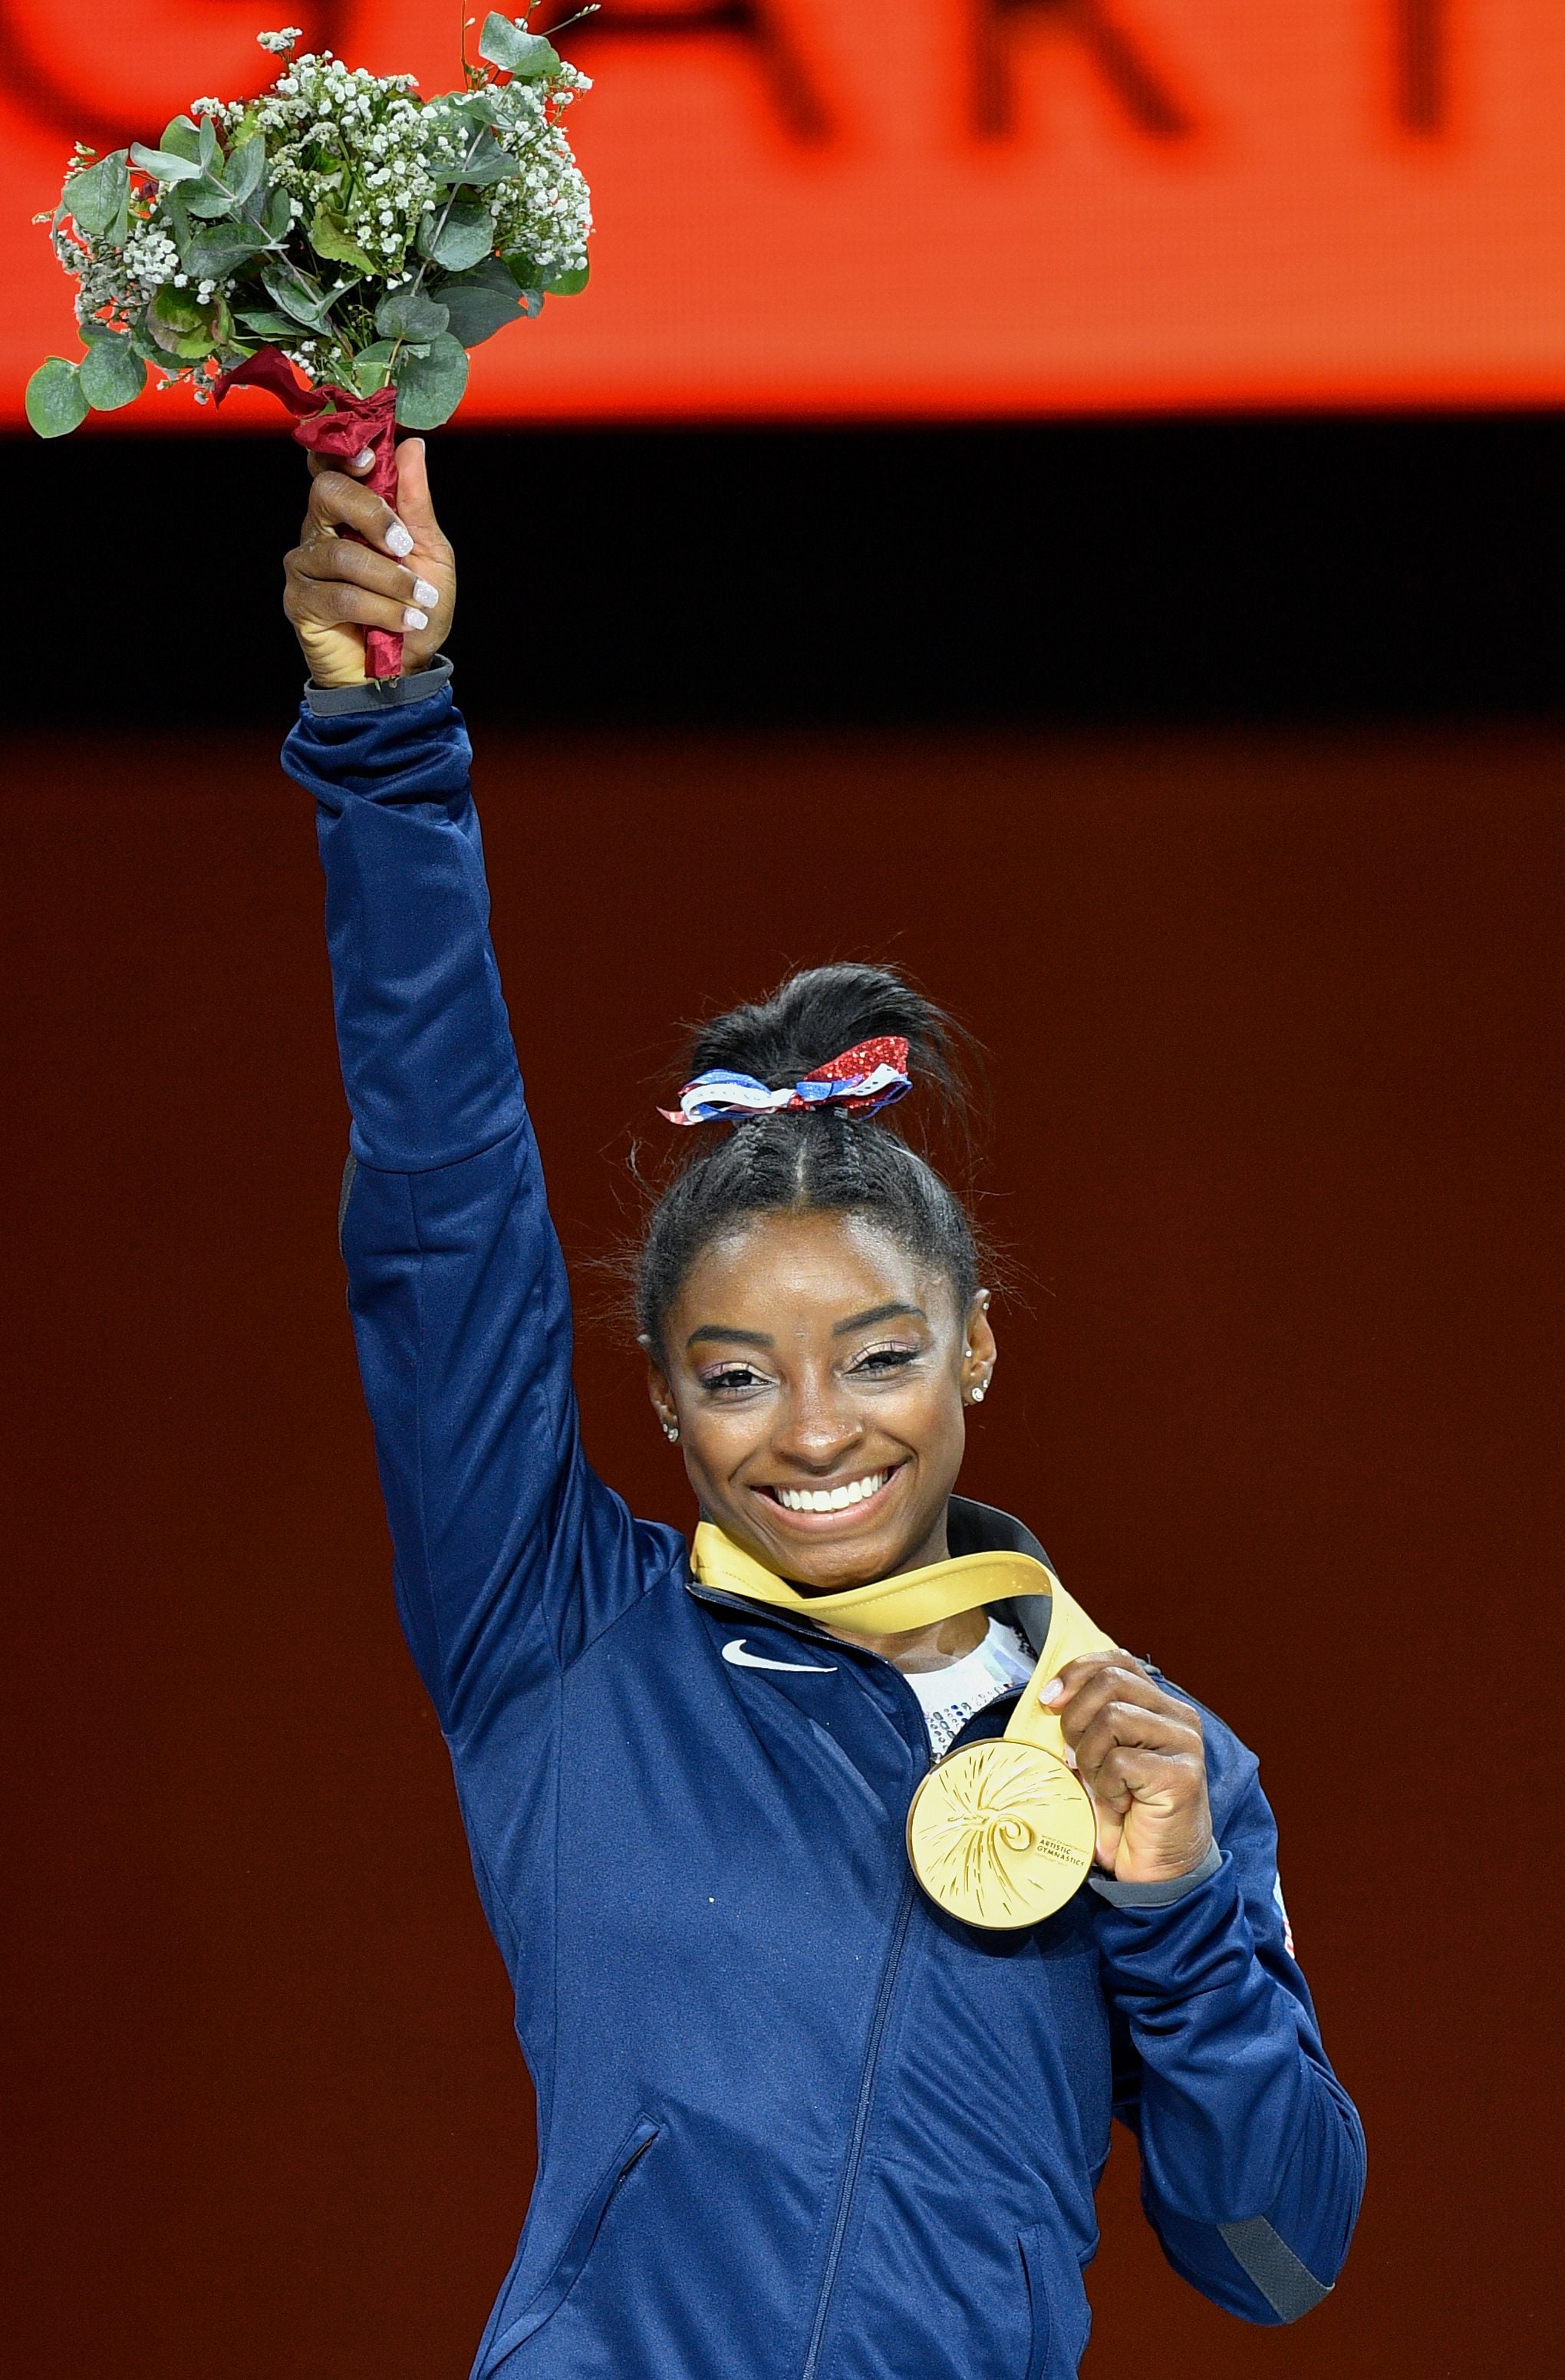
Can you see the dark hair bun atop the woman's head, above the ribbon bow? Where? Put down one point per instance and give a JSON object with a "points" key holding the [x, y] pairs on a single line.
{"points": [[822, 1013]]}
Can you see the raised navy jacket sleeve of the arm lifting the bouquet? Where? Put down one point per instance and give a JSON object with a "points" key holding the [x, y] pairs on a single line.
{"points": [[510, 1555]]}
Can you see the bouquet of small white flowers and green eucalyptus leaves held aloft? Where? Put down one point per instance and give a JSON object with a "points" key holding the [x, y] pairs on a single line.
{"points": [[337, 242]]}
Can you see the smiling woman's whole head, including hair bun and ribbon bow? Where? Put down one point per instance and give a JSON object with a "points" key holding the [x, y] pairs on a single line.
{"points": [[810, 1289]]}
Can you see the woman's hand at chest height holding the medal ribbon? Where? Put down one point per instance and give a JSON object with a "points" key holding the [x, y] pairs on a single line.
{"points": [[1140, 1755]]}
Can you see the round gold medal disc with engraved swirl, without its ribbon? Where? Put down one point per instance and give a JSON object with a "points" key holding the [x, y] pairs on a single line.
{"points": [[1003, 1834]]}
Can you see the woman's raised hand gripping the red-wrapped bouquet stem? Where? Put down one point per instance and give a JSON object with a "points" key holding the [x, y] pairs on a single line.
{"points": [[406, 580]]}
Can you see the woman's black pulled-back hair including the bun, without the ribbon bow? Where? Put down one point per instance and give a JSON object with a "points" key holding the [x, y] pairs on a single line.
{"points": [[822, 1158]]}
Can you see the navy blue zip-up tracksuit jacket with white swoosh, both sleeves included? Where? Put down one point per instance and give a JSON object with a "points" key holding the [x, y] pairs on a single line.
{"points": [[793, 2122]]}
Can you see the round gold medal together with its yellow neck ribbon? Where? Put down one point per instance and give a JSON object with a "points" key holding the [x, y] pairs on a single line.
{"points": [[1000, 1834]]}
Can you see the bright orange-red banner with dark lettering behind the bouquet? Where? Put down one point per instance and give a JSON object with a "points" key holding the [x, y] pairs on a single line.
{"points": [[876, 208]]}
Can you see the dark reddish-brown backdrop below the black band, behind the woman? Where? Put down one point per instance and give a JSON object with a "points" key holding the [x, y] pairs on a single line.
{"points": [[1274, 1027]]}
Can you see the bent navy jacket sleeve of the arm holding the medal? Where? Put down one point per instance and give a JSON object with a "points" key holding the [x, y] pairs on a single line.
{"points": [[1252, 2153]]}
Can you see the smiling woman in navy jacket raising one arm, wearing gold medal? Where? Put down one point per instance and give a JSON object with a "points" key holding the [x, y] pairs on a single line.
{"points": [[798, 2115]]}
